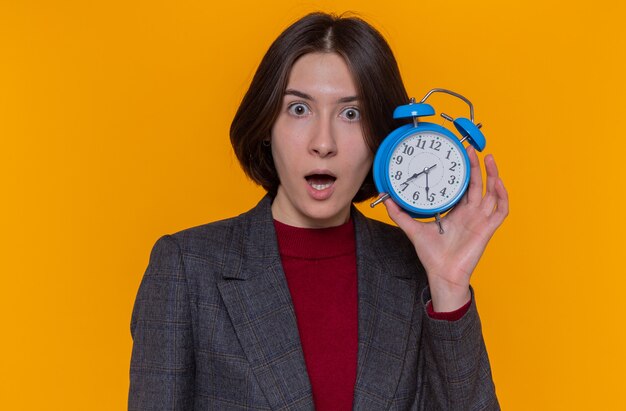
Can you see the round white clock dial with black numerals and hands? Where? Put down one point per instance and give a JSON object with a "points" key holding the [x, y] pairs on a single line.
{"points": [[427, 170]]}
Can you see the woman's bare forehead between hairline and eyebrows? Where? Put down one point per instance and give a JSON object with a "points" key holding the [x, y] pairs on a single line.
{"points": [[322, 73]]}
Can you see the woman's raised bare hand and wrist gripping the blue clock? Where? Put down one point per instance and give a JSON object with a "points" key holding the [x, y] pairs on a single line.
{"points": [[450, 259]]}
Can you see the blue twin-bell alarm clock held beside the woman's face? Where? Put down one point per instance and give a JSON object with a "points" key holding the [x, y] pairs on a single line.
{"points": [[423, 166]]}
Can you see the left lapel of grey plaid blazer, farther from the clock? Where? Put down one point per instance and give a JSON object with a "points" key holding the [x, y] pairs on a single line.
{"points": [[259, 304]]}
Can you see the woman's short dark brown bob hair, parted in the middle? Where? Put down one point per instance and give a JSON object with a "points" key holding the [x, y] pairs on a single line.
{"points": [[371, 63]]}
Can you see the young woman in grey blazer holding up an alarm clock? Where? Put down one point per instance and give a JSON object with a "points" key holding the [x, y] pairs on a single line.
{"points": [[302, 302]]}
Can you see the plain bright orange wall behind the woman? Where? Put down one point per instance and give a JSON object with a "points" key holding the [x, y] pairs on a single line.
{"points": [[114, 121]]}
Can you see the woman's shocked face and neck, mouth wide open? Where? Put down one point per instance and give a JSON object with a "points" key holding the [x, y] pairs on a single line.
{"points": [[317, 144]]}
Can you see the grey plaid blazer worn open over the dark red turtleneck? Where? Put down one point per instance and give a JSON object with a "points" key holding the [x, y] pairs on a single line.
{"points": [[214, 328]]}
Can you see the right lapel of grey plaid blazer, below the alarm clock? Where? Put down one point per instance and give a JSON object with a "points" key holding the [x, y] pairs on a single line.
{"points": [[387, 293]]}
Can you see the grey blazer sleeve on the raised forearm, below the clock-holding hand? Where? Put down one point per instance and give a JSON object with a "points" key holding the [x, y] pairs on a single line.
{"points": [[457, 370]]}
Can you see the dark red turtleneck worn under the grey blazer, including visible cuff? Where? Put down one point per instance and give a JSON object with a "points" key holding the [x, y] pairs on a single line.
{"points": [[320, 267]]}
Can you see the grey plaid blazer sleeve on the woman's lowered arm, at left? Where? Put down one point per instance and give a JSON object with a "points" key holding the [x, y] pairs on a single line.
{"points": [[162, 364]]}
